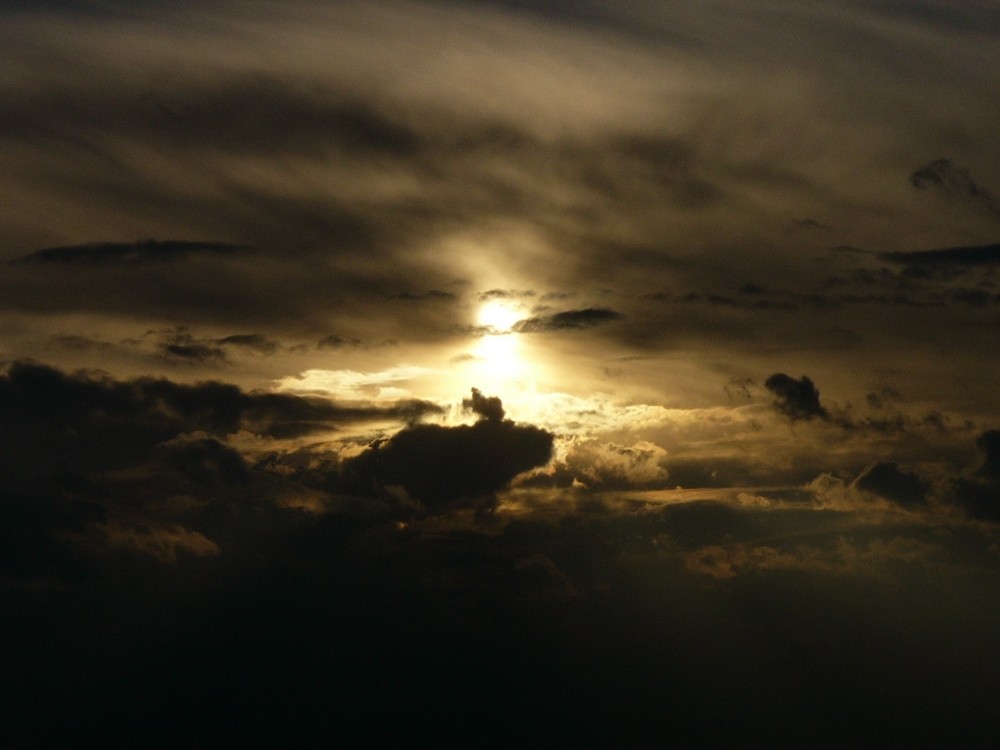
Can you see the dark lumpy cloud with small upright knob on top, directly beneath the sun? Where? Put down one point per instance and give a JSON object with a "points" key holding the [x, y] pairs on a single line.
{"points": [[445, 467]]}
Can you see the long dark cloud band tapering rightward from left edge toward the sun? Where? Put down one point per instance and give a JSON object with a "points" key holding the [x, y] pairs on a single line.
{"points": [[102, 421]]}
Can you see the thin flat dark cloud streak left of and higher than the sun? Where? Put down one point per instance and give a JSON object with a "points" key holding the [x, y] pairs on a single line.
{"points": [[126, 254]]}
